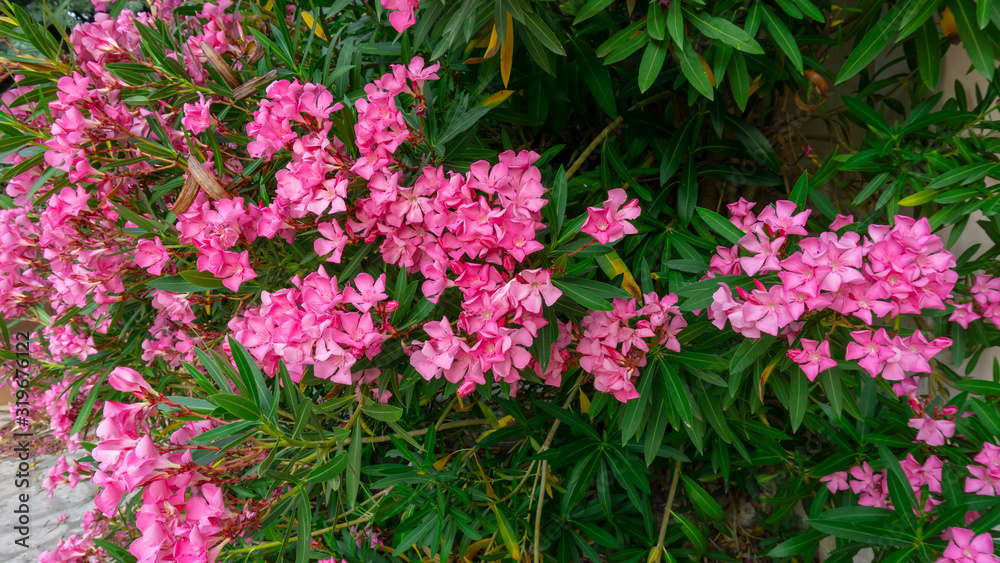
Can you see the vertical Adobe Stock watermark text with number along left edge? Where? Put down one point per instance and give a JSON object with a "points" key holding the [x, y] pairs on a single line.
{"points": [[21, 413]]}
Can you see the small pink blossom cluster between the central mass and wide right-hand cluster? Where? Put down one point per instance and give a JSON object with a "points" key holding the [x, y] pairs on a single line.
{"points": [[614, 344]]}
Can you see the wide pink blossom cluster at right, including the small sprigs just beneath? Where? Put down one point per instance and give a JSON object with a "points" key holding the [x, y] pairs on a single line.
{"points": [[894, 270]]}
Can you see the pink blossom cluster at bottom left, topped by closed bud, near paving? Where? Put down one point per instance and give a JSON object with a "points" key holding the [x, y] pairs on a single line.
{"points": [[184, 516]]}
